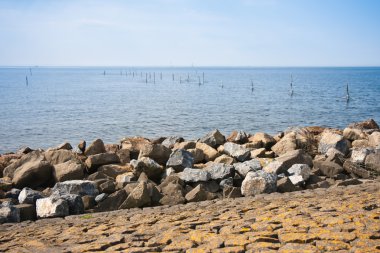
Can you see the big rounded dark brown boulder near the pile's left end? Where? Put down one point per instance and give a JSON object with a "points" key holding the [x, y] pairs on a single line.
{"points": [[32, 174]]}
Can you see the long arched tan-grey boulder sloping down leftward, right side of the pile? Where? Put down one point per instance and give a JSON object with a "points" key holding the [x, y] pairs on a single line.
{"points": [[284, 162]]}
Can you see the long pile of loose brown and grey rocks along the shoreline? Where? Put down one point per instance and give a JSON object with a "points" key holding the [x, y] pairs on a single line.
{"points": [[140, 172]]}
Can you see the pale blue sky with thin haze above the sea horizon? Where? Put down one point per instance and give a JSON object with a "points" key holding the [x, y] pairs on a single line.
{"points": [[190, 32]]}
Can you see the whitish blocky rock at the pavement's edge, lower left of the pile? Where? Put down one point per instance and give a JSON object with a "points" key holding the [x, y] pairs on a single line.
{"points": [[52, 207]]}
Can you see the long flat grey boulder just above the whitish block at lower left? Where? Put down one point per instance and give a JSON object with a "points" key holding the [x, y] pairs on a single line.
{"points": [[78, 187]]}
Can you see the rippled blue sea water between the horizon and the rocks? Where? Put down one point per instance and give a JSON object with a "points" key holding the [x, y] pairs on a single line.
{"points": [[69, 104]]}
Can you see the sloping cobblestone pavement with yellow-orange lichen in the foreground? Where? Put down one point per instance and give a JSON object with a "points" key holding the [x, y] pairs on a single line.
{"points": [[338, 219]]}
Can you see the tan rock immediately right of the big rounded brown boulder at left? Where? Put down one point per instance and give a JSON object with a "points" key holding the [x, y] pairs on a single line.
{"points": [[70, 170]]}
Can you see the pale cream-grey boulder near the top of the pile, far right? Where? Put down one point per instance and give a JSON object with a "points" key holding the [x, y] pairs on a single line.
{"points": [[333, 140]]}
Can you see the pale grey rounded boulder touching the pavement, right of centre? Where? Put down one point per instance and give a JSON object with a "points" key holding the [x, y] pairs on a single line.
{"points": [[258, 182]]}
